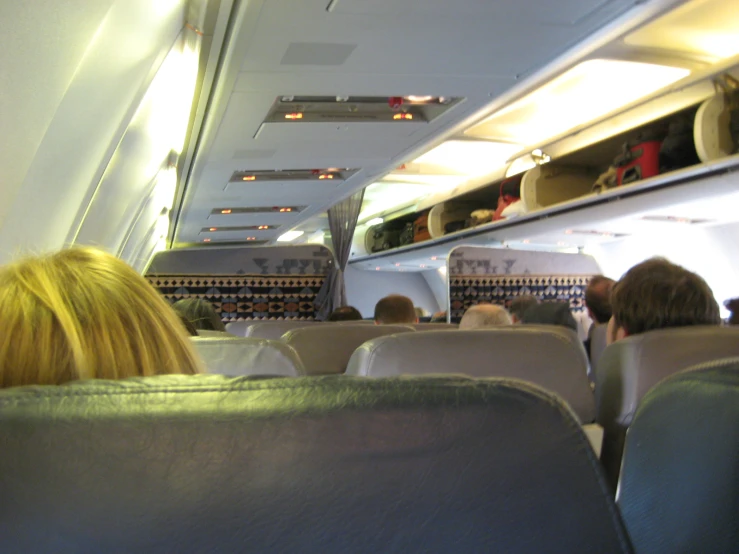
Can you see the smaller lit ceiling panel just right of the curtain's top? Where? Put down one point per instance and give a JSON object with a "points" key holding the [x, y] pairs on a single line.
{"points": [[470, 157]]}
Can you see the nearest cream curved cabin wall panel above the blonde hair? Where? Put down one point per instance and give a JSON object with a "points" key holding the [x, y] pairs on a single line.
{"points": [[68, 127]]}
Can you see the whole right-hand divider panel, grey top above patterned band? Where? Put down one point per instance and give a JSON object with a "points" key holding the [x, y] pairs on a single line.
{"points": [[497, 276]]}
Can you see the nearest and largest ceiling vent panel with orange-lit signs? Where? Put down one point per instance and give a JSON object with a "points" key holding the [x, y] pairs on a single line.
{"points": [[358, 109]]}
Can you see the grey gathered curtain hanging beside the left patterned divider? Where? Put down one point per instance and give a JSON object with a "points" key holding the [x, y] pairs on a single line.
{"points": [[342, 221]]}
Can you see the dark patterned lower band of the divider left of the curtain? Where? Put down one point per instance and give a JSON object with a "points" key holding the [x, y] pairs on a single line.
{"points": [[247, 297]]}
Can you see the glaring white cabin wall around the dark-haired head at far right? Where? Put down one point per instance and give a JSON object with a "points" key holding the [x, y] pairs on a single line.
{"points": [[710, 252]]}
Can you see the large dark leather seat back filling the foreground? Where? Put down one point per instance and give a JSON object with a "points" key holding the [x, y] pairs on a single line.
{"points": [[323, 465]]}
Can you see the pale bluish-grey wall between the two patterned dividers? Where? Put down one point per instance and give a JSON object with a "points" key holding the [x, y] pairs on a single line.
{"points": [[365, 288]]}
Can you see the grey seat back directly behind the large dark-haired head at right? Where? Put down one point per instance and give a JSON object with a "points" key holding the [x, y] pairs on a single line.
{"points": [[630, 367]]}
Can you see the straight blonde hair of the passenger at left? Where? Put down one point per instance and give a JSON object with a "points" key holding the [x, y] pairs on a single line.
{"points": [[84, 314]]}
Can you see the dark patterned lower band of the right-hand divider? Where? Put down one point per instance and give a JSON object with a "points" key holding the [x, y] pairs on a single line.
{"points": [[469, 290]]}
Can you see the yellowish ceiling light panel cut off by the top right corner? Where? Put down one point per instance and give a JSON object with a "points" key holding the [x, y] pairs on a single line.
{"points": [[705, 27]]}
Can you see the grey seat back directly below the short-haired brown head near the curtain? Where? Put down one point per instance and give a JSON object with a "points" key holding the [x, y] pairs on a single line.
{"points": [[326, 349]]}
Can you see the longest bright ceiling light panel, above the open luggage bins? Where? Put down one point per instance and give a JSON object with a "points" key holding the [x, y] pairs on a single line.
{"points": [[586, 92]]}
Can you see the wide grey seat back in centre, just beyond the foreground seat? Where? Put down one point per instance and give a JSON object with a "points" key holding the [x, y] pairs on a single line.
{"points": [[549, 356]]}
